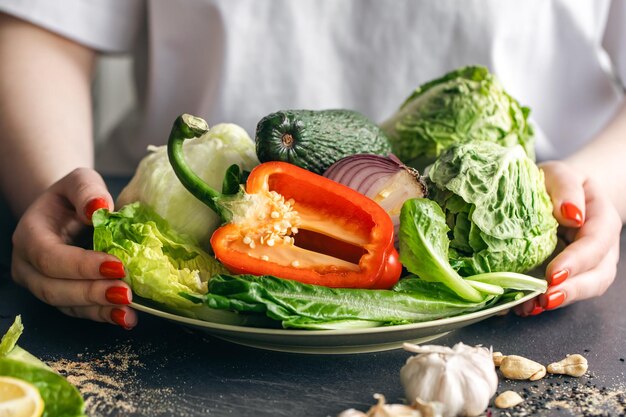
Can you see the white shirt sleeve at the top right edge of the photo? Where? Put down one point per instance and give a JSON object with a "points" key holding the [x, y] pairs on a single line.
{"points": [[614, 41]]}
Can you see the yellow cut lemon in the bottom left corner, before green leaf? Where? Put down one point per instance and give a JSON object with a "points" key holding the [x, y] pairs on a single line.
{"points": [[19, 398]]}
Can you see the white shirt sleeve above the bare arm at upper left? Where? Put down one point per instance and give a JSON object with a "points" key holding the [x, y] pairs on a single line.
{"points": [[104, 25]]}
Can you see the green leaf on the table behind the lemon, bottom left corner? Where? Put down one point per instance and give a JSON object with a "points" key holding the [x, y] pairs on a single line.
{"points": [[61, 399]]}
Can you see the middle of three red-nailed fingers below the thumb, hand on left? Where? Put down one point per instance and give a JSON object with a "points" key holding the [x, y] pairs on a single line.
{"points": [[67, 293]]}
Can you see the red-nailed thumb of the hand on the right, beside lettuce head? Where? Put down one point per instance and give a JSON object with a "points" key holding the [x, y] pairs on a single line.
{"points": [[565, 188]]}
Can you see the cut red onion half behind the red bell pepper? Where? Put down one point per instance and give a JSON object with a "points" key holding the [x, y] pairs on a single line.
{"points": [[386, 180]]}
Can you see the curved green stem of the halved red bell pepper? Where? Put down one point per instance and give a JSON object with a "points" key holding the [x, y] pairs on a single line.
{"points": [[188, 127]]}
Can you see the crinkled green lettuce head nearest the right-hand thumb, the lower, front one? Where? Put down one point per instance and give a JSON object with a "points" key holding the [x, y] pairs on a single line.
{"points": [[496, 207]]}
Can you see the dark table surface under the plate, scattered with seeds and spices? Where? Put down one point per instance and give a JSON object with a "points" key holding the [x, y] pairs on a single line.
{"points": [[163, 369]]}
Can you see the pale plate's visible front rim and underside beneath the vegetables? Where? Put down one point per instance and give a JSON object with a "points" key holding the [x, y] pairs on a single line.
{"points": [[329, 341]]}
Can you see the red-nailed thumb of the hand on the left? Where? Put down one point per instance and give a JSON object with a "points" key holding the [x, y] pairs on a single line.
{"points": [[86, 191]]}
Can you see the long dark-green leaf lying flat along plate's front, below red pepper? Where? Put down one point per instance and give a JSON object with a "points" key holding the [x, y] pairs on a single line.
{"points": [[304, 306]]}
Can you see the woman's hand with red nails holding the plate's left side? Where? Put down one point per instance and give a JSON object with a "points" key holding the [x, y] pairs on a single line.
{"points": [[80, 282]]}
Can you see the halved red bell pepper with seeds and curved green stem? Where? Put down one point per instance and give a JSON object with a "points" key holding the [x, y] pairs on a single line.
{"points": [[294, 224]]}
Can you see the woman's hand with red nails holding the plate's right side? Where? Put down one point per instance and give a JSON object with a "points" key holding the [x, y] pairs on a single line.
{"points": [[591, 226]]}
